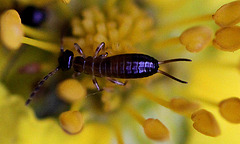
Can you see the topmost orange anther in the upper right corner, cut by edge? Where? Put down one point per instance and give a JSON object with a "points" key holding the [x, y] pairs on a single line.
{"points": [[228, 14]]}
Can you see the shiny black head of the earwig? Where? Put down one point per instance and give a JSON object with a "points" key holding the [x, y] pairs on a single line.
{"points": [[65, 60]]}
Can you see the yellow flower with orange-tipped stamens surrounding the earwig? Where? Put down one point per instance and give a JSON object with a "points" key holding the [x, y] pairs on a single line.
{"points": [[151, 109]]}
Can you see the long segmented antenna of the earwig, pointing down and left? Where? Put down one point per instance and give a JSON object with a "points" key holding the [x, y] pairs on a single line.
{"points": [[40, 84]]}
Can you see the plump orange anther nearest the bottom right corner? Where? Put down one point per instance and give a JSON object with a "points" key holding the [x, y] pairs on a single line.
{"points": [[205, 123]]}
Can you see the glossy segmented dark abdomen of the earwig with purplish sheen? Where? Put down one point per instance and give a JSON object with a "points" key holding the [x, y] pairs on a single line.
{"points": [[126, 66]]}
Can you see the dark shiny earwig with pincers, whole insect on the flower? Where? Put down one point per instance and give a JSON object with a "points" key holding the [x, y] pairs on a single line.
{"points": [[124, 66]]}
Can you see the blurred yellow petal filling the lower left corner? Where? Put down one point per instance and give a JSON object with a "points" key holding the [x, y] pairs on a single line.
{"points": [[19, 125]]}
